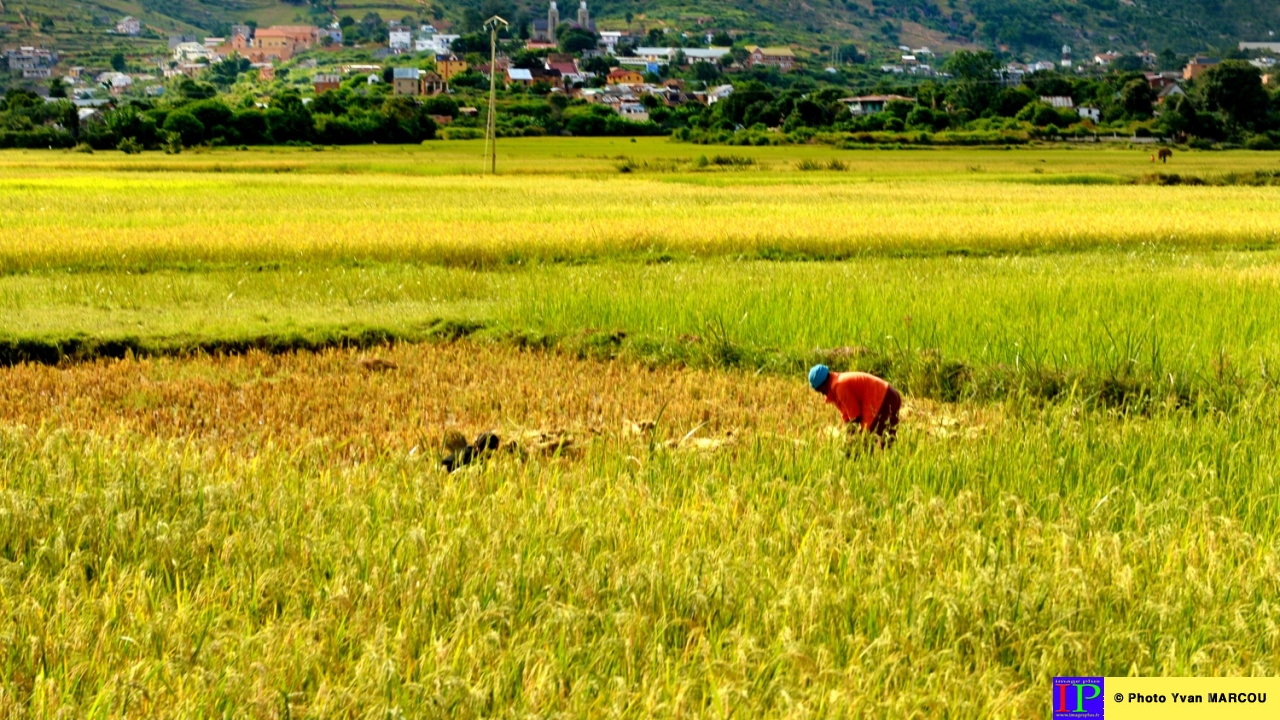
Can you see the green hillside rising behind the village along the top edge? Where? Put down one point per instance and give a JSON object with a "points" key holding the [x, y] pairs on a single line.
{"points": [[1025, 28]]}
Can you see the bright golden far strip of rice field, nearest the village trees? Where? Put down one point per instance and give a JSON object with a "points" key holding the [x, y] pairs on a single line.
{"points": [[145, 213]]}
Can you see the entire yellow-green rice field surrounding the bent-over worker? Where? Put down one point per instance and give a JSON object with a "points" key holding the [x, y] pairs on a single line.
{"points": [[226, 498]]}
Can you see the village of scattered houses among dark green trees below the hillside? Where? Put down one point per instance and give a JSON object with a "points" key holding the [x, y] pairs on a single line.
{"points": [[660, 83]]}
